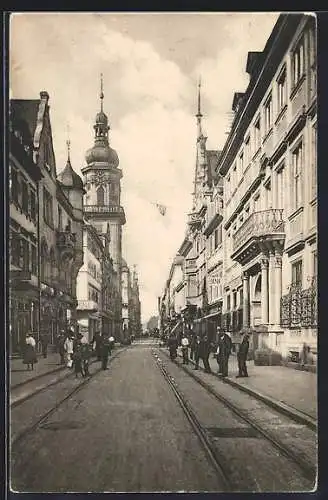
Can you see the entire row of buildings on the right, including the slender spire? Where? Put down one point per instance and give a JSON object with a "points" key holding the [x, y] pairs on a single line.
{"points": [[250, 250]]}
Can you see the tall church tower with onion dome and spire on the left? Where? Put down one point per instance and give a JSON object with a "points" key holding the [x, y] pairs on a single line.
{"points": [[101, 179]]}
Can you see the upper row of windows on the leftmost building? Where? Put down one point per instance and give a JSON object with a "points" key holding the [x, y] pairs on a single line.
{"points": [[22, 193]]}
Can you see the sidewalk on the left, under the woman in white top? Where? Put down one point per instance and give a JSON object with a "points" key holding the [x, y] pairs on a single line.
{"points": [[19, 373]]}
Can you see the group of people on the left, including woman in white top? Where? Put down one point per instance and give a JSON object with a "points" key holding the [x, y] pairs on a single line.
{"points": [[74, 350]]}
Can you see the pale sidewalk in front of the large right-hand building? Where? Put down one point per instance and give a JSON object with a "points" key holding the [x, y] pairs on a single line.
{"points": [[294, 388]]}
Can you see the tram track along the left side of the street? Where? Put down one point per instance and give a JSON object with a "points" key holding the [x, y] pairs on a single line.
{"points": [[45, 415]]}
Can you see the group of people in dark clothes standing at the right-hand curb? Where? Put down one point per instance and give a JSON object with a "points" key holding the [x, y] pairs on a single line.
{"points": [[201, 348]]}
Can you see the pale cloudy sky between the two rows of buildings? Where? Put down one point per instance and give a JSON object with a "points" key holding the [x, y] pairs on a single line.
{"points": [[151, 64]]}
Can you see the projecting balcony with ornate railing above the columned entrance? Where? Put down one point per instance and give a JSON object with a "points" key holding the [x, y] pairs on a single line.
{"points": [[266, 225]]}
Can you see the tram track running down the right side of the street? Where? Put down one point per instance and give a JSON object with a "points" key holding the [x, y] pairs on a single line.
{"points": [[307, 469]]}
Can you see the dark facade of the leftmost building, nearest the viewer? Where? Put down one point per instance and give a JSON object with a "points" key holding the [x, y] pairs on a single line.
{"points": [[24, 178]]}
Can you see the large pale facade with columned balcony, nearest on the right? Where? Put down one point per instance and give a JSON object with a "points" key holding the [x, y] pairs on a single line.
{"points": [[270, 199]]}
